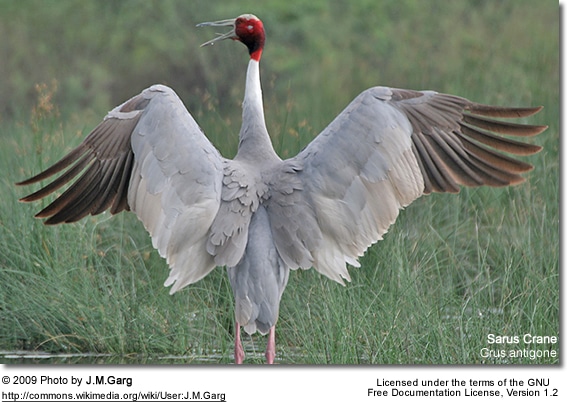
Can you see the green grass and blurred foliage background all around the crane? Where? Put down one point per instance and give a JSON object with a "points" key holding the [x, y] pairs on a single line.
{"points": [[450, 271]]}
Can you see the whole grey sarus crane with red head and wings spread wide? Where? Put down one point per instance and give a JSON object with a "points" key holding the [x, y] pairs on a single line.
{"points": [[261, 216]]}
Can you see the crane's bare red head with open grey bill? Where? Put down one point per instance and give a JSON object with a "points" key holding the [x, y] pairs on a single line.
{"points": [[248, 29]]}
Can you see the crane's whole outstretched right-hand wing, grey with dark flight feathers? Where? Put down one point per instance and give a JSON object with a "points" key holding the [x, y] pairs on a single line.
{"points": [[388, 147]]}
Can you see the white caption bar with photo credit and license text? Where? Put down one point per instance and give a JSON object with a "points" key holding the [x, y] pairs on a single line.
{"points": [[186, 383]]}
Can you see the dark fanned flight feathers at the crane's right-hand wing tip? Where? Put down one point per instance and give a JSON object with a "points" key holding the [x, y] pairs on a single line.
{"points": [[459, 143]]}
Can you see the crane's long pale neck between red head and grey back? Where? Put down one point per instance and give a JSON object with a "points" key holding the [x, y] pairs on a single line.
{"points": [[255, 143]]}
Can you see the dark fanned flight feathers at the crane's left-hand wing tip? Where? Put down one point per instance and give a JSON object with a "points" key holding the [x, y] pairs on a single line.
{"points": [[96, 172]]}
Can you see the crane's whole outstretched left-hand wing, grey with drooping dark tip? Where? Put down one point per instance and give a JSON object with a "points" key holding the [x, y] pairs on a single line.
{"points": [[150, 156]]}
